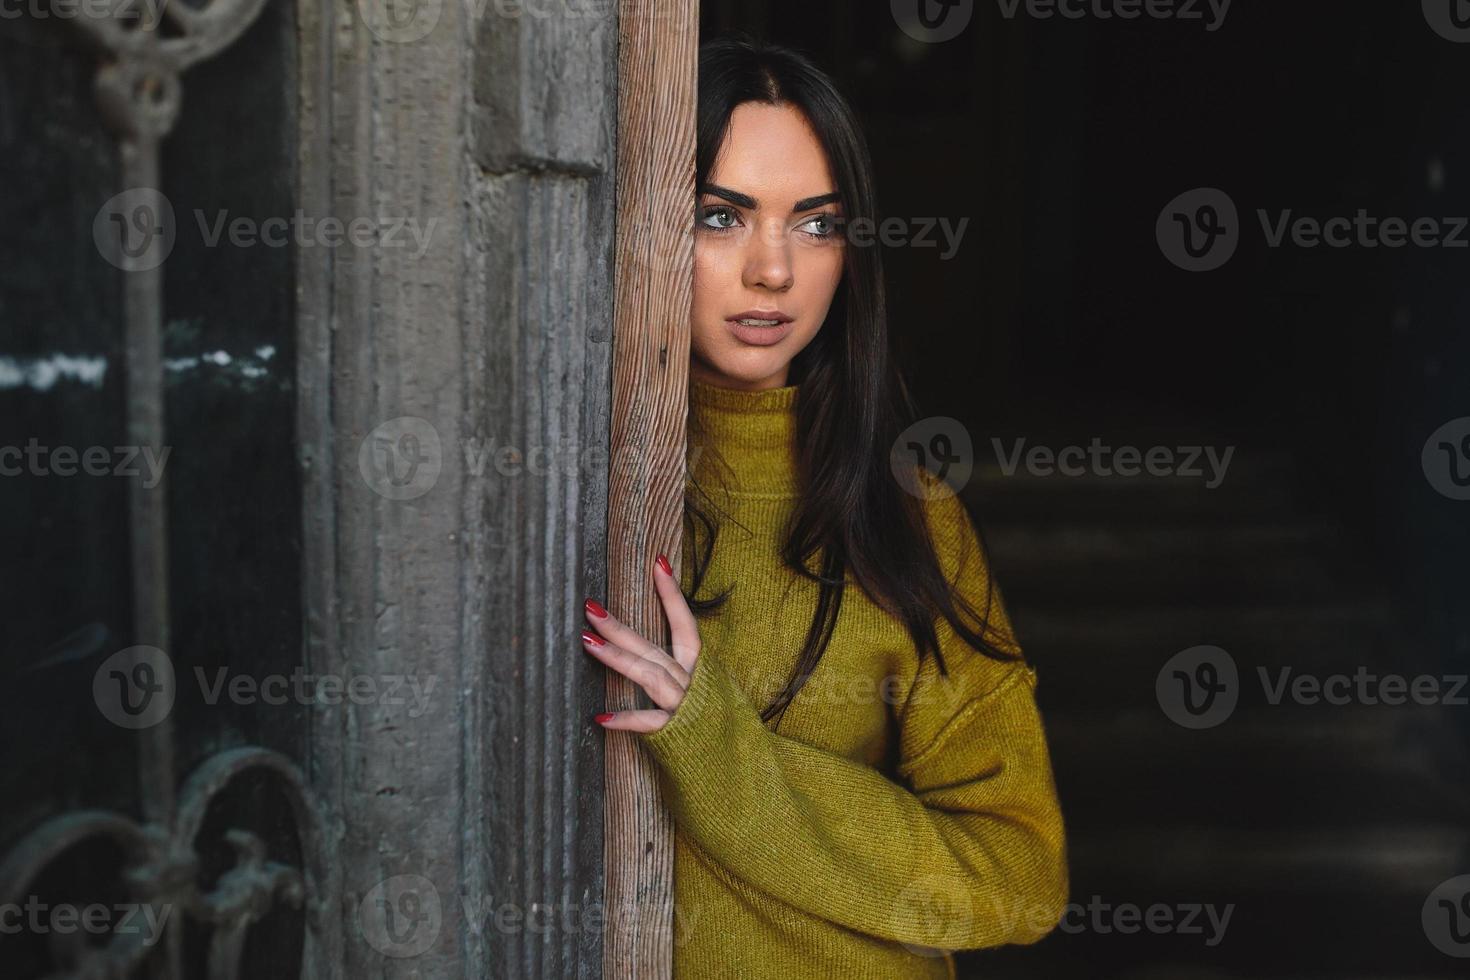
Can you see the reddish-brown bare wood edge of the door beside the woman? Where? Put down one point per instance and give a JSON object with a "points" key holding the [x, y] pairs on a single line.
{"points": [[658, 68]]}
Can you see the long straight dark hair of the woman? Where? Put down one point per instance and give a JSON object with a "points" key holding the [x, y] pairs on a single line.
{"points": [[852, 403]]}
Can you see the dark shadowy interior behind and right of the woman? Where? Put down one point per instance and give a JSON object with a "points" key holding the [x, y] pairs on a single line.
{"points": [[1328, 370]]}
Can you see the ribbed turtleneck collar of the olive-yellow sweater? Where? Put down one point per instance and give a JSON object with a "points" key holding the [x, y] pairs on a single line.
{"points": [[755, 433]]}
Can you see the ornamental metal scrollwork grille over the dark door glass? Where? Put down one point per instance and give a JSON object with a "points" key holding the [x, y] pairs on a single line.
{"points": [[139, 92]]}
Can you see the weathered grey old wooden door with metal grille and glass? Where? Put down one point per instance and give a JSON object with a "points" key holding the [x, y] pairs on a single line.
{"points": [[306, 370]]}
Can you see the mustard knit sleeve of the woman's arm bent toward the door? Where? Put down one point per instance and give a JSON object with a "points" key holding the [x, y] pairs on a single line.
{"points": [[967, 853]]}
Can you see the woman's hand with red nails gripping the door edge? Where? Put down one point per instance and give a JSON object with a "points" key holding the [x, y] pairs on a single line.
{"points": [[665, 678]]}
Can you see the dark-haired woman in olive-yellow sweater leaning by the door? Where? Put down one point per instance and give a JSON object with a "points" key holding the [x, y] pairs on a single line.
{"points": [[859, 777]]}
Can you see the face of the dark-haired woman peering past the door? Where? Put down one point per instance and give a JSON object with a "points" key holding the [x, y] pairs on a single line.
{"points": [[767, 248]]}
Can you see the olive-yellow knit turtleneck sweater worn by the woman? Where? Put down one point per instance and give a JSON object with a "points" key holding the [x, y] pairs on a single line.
{"points": [[893, 815]]}
